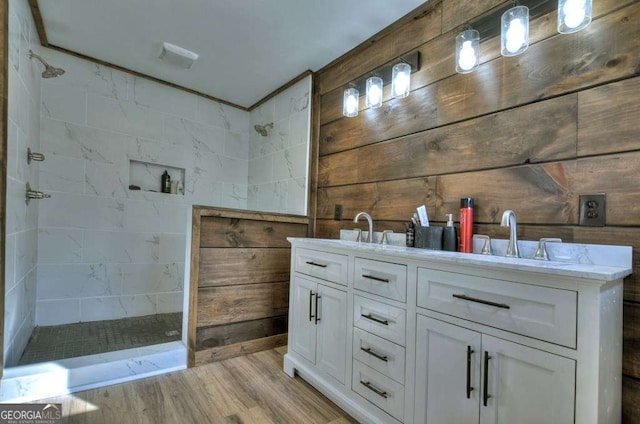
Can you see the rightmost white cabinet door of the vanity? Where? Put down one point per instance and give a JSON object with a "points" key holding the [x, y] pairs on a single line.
{"points": [[525, 385]]}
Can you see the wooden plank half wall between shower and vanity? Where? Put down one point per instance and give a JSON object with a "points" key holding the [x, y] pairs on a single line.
{"points": [[239, 291]]}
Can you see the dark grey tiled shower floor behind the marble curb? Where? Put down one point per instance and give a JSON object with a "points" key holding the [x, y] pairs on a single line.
{"points": [[88, 338]]}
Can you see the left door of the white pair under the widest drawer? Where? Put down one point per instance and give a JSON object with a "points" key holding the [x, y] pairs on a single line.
{"points": [[447, 373]]}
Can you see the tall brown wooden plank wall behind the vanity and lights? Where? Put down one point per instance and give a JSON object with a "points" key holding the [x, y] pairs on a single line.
{"points": [[529, 133]]}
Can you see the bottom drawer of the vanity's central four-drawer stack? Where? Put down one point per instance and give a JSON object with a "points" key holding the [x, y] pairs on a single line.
{"points": [[378, 389]]}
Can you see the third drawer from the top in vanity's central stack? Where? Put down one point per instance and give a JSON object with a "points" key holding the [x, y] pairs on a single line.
{"points": [[380, 354]]}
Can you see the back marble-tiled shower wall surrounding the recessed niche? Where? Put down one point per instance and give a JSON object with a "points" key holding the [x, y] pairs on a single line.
{"points": [[105, 251]]}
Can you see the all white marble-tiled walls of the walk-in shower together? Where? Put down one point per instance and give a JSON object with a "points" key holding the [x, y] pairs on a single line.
{"points": [[100, 248]]}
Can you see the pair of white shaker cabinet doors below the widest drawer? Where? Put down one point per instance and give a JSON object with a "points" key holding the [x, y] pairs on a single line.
{"points": [[465, 377]]}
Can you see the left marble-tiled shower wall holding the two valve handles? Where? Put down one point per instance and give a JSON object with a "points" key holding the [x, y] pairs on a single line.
{"points": [[23, 131]]}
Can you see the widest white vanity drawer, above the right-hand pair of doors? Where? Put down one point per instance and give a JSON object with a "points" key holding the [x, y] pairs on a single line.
{"points": [[540, 312]]}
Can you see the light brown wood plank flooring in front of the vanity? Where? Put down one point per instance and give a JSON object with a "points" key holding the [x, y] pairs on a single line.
{"points": [[246, 389]]}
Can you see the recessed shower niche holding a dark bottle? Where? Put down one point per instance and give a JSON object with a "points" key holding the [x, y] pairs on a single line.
{"points": [[147, 176]]}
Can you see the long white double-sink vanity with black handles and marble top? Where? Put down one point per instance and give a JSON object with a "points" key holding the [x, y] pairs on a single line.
{"points": [[403, 335]]}
